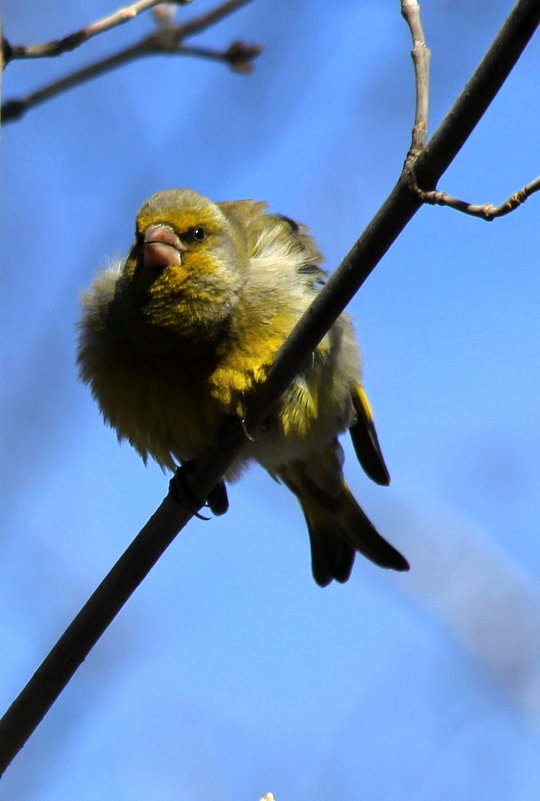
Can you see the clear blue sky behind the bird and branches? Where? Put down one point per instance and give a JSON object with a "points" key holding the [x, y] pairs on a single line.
{"points": [[229, 673]]}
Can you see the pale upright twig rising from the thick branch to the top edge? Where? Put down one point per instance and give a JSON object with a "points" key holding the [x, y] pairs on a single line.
{"points": [[420, 53]]}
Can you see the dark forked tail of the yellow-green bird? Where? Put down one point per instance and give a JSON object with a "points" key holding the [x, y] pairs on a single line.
{"points": [[337, 529]]}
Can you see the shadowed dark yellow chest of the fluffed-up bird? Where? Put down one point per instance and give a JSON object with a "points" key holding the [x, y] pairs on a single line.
{"points": [[169, 405]]}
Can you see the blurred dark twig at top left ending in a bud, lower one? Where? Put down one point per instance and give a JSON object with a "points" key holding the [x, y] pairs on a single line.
{"points": [[167, 38]]}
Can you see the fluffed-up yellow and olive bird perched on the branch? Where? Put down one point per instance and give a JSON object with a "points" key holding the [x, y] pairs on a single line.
{"points": [[176, 337]]}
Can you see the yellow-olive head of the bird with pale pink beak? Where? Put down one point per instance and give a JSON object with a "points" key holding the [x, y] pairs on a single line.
{"points": [[187, 266]]}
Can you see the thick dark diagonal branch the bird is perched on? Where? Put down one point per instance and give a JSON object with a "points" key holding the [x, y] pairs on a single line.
{"points": [[401, 205]]}
